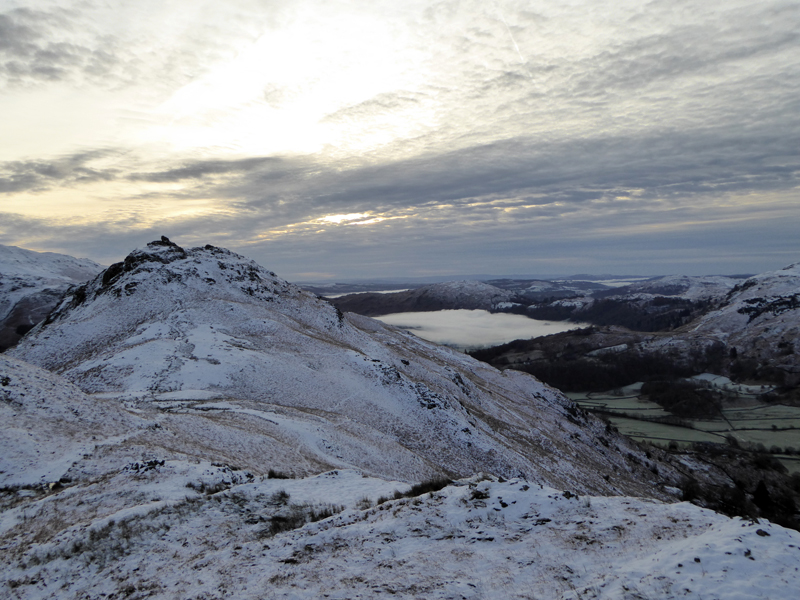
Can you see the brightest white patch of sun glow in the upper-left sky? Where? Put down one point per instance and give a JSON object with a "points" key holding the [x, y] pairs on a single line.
{"points": [[281, 95]]}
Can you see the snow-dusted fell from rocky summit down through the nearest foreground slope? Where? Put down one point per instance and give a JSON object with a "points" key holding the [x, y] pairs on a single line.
{"points": [[193, 373]]}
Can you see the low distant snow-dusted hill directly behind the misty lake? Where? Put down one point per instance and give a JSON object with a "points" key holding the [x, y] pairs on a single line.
{"points": [[440, 296]]}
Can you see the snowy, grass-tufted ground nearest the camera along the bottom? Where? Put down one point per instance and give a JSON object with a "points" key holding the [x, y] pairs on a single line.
{"points": [[146, 534]]}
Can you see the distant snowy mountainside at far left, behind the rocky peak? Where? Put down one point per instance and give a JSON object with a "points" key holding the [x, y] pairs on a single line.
{"points": [[31, 284]]}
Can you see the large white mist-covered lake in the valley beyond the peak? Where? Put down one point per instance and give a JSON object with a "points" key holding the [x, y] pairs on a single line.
{"points": [[471, 329]]}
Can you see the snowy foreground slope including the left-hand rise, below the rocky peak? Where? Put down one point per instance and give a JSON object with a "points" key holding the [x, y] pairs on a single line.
{"points": [[123, 517]]}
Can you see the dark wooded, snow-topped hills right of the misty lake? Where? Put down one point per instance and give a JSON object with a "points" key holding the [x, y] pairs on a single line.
{"points": [[676, 326]]}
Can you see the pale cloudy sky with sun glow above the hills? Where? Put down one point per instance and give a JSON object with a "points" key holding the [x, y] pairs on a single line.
{"points": [[340, 140]]}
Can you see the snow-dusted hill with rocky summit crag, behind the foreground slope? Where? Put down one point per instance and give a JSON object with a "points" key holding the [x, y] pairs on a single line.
{"points": [[241, 366]]}
